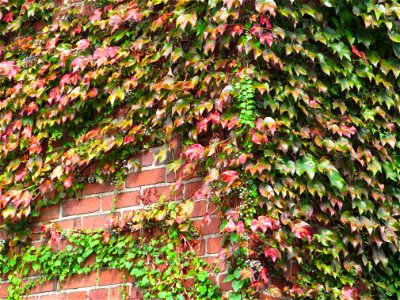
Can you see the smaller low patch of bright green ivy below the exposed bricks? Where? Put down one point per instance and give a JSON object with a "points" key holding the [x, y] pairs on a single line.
{"points": [[159, 258]]}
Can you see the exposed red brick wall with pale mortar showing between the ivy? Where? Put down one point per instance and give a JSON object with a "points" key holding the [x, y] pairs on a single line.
{"points": [[91, 211]]}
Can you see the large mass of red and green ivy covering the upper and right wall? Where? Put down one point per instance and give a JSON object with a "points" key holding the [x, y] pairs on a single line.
{"points": [[290, 110]]}
